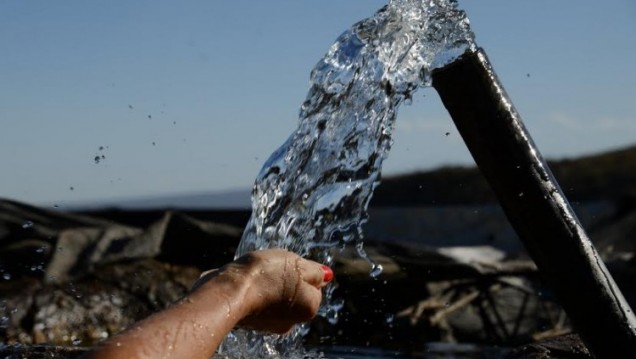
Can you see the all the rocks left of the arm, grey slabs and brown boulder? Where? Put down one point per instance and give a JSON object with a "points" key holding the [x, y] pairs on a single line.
{"points": [[72, 280]]}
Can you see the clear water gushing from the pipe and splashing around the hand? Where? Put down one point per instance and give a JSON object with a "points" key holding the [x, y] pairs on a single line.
{"points": [[313, 192]]}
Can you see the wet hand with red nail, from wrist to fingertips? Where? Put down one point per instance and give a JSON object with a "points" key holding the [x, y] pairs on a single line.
{"points": [[281, 288]]}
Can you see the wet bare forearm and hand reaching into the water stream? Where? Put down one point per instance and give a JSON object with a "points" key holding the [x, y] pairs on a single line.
{"points": [[268, 290]]}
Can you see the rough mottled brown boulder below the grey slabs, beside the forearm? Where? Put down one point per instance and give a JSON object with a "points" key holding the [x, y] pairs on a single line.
{"points": [[93, 308]]}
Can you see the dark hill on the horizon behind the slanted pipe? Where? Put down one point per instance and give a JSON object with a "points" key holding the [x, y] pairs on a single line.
{"points": [[606, 176]]}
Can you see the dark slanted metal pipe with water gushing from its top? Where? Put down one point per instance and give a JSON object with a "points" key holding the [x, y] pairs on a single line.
{"points": [[535, 205]]}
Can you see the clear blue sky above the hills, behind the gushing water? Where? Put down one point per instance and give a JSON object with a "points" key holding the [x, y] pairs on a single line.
{"points": [[193, 96]]}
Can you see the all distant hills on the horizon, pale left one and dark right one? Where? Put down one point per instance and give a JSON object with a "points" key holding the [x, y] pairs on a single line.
{"points": [[604, 176]]}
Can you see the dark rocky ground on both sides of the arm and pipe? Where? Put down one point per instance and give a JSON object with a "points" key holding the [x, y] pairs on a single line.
{"points": [[68, 281]]}
